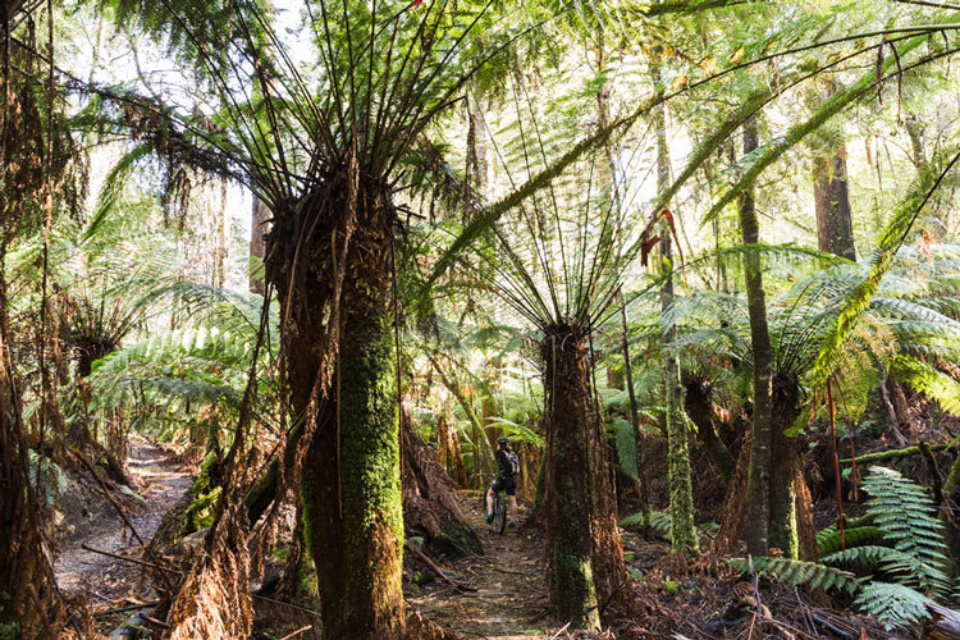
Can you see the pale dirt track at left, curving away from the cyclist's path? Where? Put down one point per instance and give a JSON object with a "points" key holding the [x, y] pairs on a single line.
{"points": [[162, 481]]}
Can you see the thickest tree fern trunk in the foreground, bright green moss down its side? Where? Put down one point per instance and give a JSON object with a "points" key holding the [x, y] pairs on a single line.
{"points": [[350, 483]]}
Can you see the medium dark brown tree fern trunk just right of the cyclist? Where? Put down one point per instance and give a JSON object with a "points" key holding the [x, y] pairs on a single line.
{"points": [[568, 417]]}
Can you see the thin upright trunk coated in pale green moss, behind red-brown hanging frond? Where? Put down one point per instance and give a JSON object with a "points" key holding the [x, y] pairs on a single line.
{"points": [[683, 531]]}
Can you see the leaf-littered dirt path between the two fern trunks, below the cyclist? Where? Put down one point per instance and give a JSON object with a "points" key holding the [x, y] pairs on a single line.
{"points": [[510, 601]]}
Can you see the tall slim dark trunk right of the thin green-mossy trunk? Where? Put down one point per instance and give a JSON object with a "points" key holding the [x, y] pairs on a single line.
{"points": [[758, 478]]}
